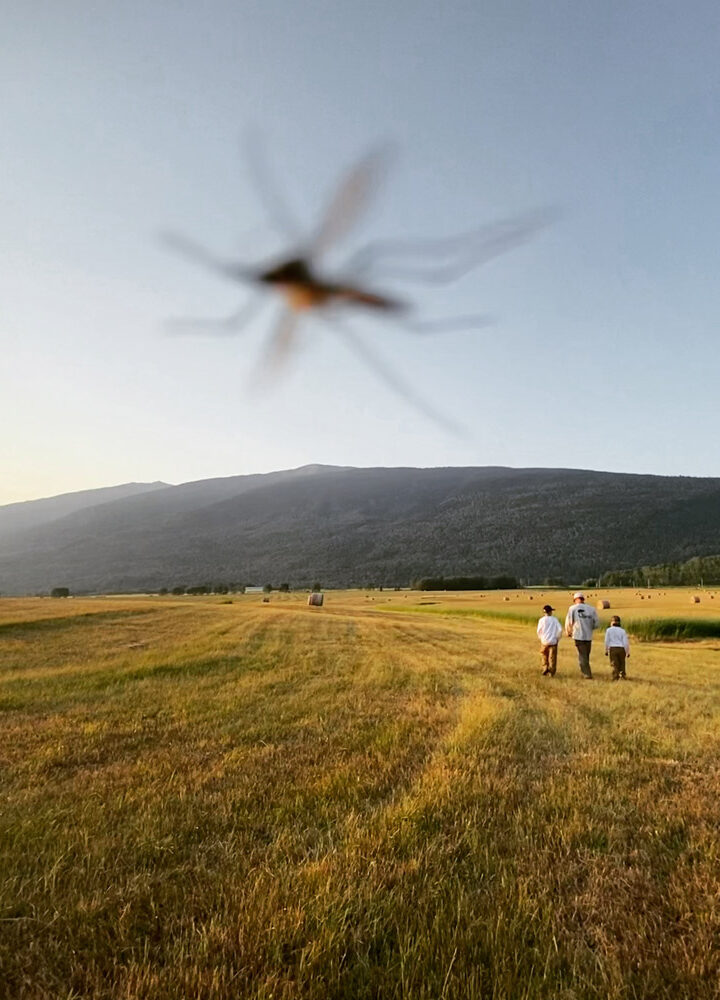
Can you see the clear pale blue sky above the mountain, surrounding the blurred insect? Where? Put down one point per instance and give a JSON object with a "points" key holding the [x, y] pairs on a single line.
{"points": [[120, 121]]}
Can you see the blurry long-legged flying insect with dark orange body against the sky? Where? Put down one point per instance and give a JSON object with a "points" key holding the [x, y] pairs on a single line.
{"points": [[296, 278]]}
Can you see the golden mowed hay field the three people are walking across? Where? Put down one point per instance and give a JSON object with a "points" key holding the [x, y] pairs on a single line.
{"points": [[203, 799]]}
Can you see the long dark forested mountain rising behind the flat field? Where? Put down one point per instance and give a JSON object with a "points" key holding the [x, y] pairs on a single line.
{"points": [[357, 527]]}
